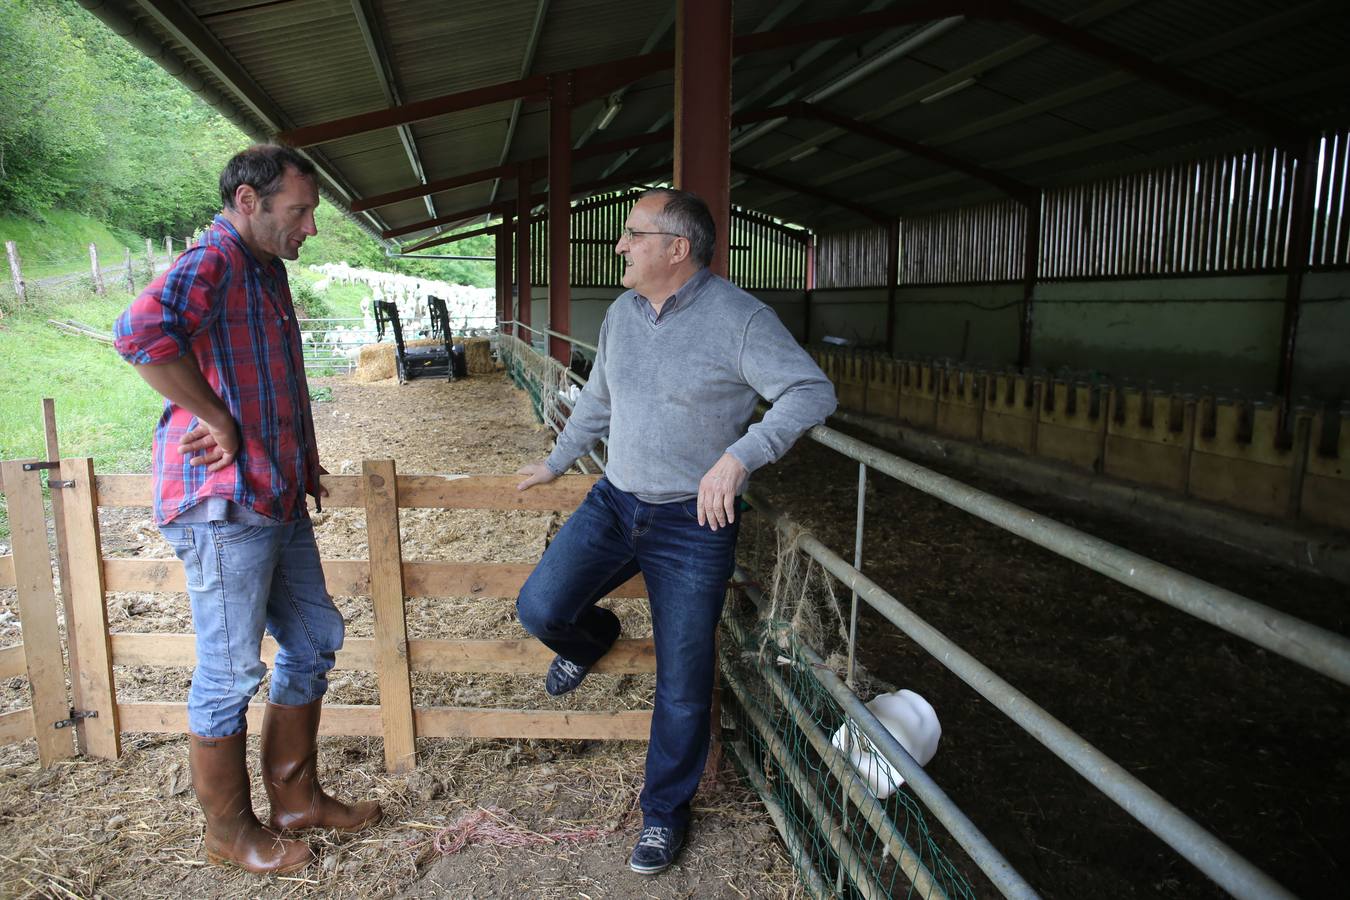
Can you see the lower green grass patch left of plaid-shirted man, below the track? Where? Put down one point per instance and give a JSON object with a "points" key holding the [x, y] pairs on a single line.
{"points": [[103, 408]]}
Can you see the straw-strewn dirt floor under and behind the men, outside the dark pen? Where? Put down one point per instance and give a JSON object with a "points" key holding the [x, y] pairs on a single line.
{"points": [[561, 816]]}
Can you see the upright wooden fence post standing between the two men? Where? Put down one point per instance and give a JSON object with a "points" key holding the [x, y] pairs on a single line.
{"points": [[387, 593]]}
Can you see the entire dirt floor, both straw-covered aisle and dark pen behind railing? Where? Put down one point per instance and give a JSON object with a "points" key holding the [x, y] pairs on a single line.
{"points": [[1249, 746]]}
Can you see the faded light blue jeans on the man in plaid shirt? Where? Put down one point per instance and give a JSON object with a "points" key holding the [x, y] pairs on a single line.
{"points": [[242, 578]]}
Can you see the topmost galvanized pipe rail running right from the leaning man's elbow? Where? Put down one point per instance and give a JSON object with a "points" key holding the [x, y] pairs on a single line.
{"points": [[1291, 638]]}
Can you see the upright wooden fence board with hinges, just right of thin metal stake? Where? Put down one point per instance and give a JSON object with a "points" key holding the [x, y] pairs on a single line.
{"points": [[102, 733]]}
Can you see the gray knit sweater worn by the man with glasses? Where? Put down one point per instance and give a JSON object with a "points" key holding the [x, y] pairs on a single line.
{"points": [[673, 397]]}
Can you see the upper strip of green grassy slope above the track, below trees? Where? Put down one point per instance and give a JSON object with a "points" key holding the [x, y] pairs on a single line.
{"points": [[59, 244]]}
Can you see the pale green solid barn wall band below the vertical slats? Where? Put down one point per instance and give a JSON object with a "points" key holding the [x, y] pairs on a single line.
{"points": [[1220, 333]]}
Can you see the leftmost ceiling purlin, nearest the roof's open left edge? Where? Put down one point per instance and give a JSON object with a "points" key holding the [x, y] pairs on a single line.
{"points": [[175, 18]]}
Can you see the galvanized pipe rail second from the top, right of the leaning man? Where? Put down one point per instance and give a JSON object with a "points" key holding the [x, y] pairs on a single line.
{"points": [[1202, 849]]}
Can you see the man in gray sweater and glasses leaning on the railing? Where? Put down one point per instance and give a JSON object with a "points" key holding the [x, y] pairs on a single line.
{"points": [[682, 362]]}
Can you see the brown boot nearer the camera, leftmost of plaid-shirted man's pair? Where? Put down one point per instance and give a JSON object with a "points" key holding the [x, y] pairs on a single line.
{"points": [[234, 835]]}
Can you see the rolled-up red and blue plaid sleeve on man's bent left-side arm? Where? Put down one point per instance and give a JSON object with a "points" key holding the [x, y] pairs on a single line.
{"points": [[160, 325]]}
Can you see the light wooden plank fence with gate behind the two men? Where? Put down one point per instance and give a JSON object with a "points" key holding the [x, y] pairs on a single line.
{"points": [[385, 578]]}
